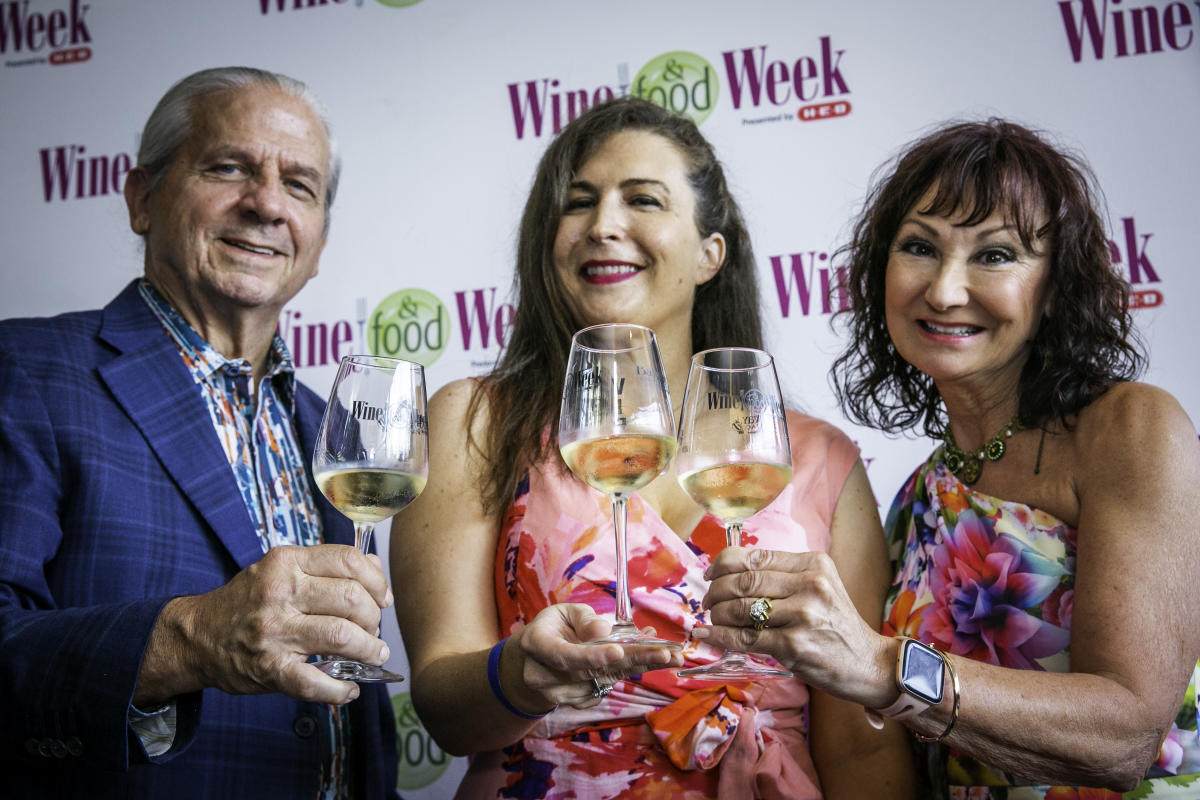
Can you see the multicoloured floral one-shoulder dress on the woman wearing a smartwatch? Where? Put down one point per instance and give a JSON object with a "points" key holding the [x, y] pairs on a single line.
{"points": [[994, 581]]}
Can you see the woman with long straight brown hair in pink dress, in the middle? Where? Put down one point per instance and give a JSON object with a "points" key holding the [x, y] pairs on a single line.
{"points": [[506, 562]]}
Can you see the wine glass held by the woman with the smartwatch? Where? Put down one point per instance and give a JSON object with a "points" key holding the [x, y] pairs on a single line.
{"points": [[734, 460]]}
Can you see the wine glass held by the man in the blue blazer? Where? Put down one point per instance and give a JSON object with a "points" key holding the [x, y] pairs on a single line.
{"points": [[371, 459]]}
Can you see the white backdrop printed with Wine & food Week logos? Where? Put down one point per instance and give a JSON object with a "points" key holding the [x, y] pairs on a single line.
{"points": [[443, 107]]}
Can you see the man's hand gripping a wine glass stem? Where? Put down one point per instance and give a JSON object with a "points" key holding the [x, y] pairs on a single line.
{"points": [[255, 635]]}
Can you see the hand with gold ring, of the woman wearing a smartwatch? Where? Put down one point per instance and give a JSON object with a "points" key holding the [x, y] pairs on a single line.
{"points": [[815, 630]]}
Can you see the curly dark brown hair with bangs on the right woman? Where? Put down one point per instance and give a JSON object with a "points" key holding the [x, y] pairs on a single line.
{"points": [[1083, 347]]}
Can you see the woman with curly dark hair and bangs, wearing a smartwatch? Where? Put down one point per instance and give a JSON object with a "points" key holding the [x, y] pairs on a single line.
{"points": [[1041, 628]]}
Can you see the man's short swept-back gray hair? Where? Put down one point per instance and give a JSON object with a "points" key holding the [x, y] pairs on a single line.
{"points": [[171, 123]]}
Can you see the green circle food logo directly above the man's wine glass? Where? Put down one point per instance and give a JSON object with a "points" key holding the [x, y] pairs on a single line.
{"points": [[410, 324]]}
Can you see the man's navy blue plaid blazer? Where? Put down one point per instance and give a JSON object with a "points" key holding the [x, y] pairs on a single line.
{"points": [[115, 498]]}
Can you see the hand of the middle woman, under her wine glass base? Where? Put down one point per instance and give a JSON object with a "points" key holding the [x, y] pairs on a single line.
{"points": [[557, 667]]}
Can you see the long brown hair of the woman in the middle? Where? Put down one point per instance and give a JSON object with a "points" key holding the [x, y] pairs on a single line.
{"points": [[525, 389]]}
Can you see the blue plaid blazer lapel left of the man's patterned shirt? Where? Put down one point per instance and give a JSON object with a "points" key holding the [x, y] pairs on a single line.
{"points": [[154, 387]]}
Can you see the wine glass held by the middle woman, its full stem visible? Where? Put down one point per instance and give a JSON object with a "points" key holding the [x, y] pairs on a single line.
{"points": [[617, 434]]}
